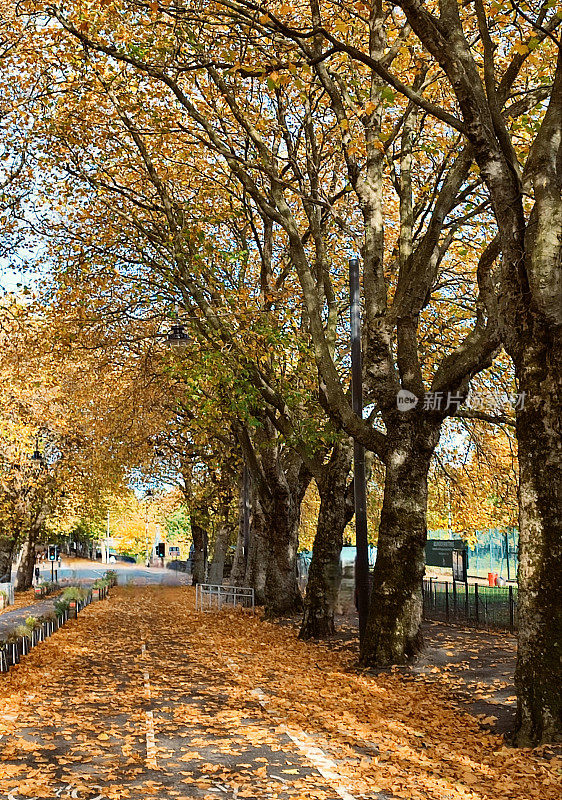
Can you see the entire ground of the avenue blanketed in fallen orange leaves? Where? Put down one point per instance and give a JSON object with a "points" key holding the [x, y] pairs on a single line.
{"points": [[141, 697]]}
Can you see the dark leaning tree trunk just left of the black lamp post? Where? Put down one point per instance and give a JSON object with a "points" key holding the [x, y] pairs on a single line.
{"points": [[324, 575]]}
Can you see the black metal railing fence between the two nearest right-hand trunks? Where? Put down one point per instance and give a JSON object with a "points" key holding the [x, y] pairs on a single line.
{"points": [[469, 603]]}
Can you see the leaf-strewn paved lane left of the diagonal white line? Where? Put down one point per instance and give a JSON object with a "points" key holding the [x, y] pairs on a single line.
{"points": [[135, 718]]}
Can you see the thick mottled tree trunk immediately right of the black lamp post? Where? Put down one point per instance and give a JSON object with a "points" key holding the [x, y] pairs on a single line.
{"points": [[393, 631]]}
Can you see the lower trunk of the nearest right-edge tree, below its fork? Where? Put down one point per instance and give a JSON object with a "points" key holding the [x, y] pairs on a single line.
{"points": [[538, 674]]}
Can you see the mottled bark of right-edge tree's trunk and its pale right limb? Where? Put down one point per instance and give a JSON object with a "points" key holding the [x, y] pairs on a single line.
{"points": [[536, 348]]}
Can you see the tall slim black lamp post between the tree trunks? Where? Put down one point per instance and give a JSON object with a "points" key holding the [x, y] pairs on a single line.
{"points": [[359, 480]]}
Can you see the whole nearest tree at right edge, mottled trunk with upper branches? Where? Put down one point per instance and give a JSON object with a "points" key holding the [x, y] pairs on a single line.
{"points": [[502, 61]]}
